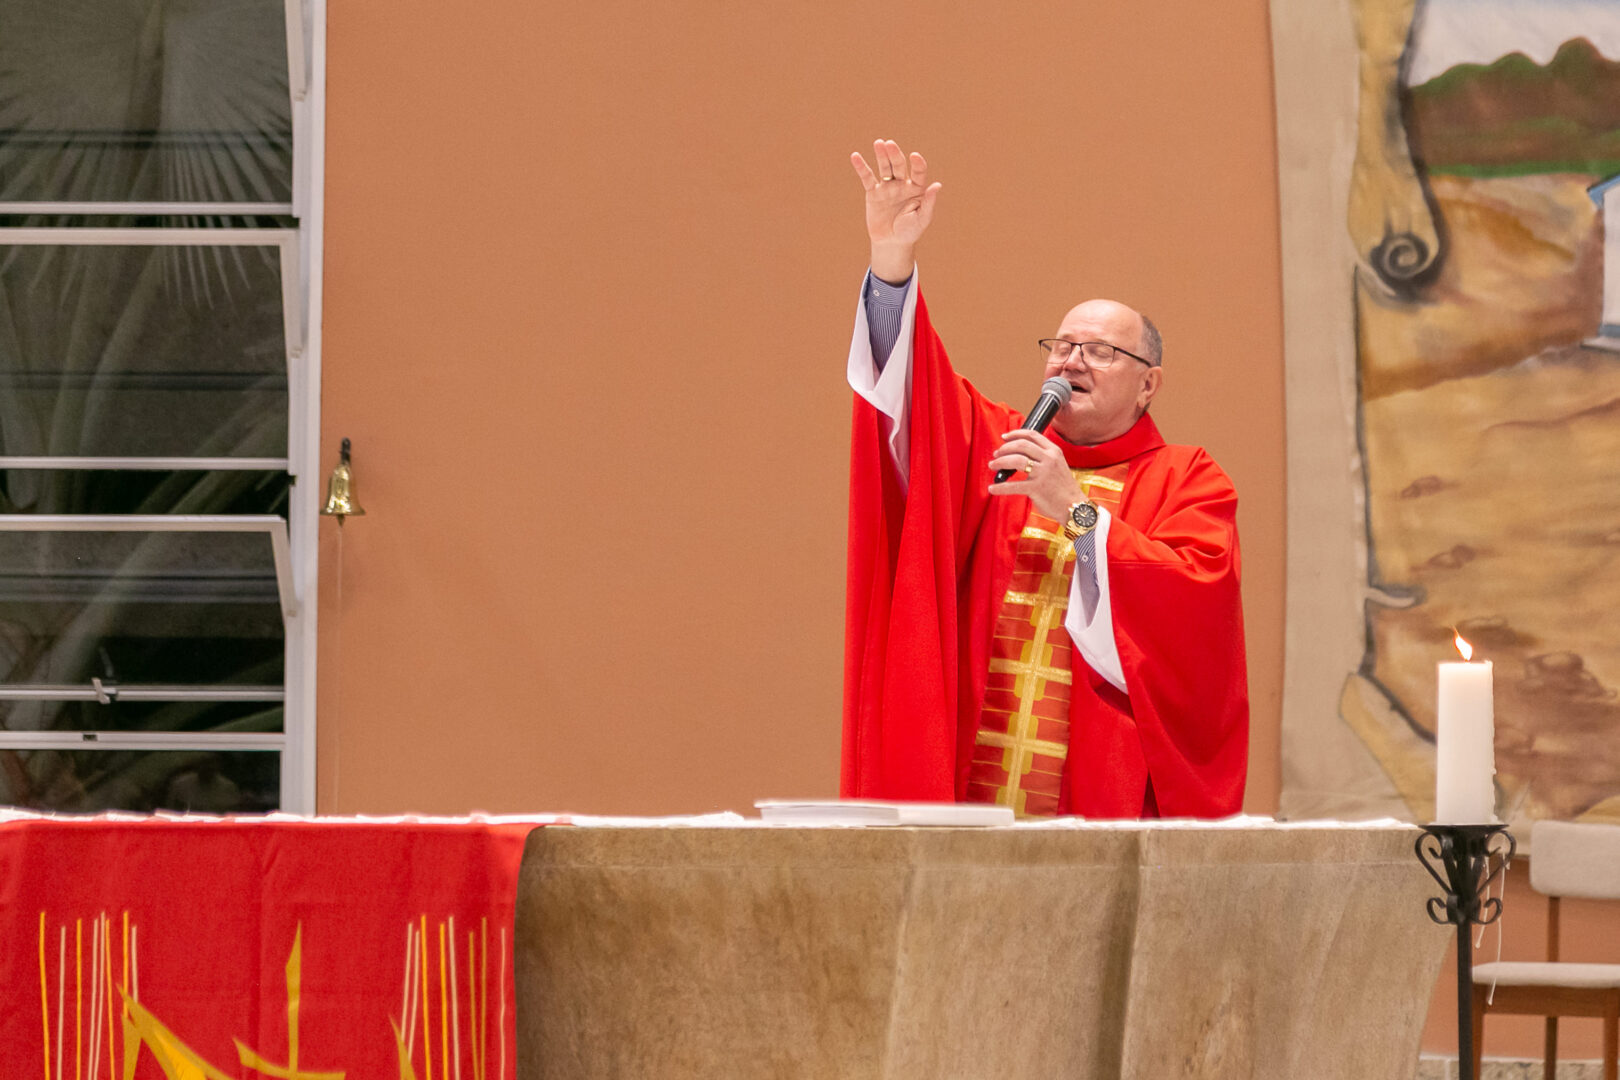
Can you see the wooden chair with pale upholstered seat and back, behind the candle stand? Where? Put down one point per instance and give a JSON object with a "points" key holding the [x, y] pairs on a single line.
{"points": [[1567, 861]]}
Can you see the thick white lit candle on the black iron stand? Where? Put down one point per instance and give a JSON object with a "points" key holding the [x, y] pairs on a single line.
{"points": [[1465, 746]]}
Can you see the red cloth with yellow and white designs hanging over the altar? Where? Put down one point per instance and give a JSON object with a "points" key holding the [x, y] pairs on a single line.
{"points": [[244, 948]]}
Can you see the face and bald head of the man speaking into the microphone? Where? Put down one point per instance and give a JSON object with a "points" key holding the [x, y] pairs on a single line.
{"points": [[1106, 402]]}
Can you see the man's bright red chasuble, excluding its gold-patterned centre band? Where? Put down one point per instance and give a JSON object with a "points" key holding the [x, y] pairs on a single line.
{"points": [[927, 576]]}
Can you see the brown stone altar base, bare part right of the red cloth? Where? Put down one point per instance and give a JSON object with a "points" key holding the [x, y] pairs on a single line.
{"points": [[1133, 951]]}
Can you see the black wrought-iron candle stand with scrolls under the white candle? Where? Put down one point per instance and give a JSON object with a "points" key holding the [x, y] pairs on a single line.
{"points": [[1465, 861]]}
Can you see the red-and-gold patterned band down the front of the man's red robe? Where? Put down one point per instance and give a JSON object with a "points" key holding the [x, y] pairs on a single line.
{"points": [[1025, 721]]}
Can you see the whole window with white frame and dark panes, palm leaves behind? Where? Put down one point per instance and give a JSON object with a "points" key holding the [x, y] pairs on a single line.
{"points": [[160, 394]]}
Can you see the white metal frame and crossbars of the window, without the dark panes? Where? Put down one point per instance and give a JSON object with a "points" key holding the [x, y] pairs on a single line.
{"points": [[296, 538]]}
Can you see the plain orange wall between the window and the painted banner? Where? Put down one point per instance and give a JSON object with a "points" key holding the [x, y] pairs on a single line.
{"points": [[590, 278]]}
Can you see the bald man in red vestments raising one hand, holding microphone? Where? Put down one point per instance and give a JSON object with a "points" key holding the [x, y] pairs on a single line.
{"points": [[1068, 642]]}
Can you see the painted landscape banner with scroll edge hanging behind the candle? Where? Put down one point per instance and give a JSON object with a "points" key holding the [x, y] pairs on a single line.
{"points": [[1452, 250]]}
